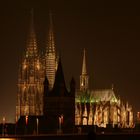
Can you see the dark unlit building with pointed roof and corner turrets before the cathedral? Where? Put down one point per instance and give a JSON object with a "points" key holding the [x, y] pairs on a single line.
{"points": [[59, 103]]}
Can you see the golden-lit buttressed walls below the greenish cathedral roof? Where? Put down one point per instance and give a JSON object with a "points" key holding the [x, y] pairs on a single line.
{"points": [[102, 113]]}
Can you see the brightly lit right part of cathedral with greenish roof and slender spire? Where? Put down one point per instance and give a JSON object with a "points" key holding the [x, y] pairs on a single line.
{"points": [[100, 107]]}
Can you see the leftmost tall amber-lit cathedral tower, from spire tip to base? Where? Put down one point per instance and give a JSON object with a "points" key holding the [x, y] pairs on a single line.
{"points": [[30, 80]]}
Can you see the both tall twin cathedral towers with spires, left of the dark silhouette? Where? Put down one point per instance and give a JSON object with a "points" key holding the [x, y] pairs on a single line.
{"points": [[32, 72]]}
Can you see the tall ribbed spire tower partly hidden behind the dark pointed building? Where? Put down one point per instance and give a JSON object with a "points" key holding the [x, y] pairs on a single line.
{"points": [[50, 56]]}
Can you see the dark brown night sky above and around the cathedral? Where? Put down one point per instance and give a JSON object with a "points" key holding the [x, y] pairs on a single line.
{"points": [[109, 31]]}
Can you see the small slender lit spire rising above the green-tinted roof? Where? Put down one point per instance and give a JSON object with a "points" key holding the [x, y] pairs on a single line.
{"points": [[84, 76]]}
